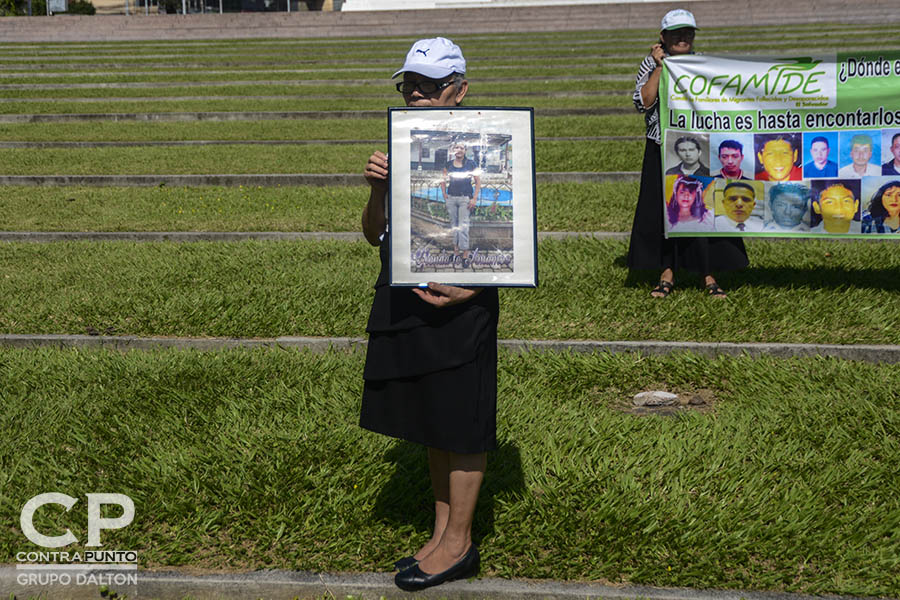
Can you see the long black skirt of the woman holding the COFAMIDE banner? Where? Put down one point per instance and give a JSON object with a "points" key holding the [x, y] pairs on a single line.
{"points": [[649, 249]]}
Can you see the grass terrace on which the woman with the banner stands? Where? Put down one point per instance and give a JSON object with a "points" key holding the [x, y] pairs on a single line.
{"points": [[796, 291]]}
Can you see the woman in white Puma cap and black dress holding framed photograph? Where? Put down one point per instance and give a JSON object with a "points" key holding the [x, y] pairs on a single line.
{"points": [[431, 363]]}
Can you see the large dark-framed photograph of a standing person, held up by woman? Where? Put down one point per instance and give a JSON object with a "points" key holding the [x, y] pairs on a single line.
{"points": [[462, 196]]}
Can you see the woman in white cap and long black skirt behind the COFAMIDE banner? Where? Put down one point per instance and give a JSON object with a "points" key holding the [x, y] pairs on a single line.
{"points": [[649, 249]]}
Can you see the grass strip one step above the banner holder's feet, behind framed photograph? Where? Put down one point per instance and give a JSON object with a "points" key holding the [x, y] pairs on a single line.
{"points": [[561, 207]]}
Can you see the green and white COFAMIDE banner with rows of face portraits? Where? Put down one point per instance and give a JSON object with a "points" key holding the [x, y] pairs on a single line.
{"points": [[805, 146]]}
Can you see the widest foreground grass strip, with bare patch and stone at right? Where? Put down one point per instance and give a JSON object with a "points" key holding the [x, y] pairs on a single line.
{"points": [[785, 480]]}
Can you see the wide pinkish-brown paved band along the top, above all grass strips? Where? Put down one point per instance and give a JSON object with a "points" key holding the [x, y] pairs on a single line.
{"points": [[417, 23]]}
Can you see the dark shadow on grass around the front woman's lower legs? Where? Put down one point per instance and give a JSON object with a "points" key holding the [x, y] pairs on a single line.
{"points": [[406, 499]]}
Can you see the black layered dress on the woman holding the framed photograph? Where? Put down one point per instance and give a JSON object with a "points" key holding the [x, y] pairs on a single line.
{"points": [[431, 373]]}
